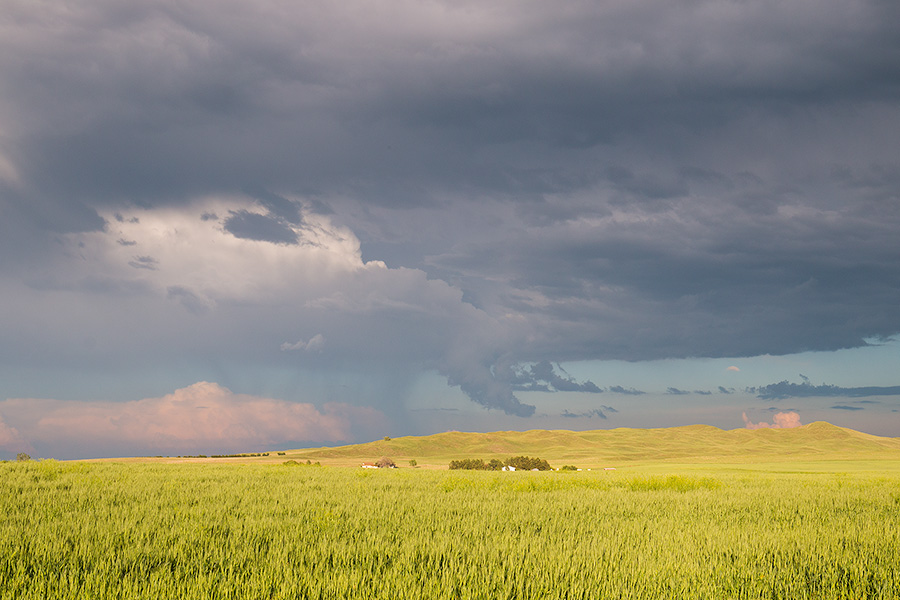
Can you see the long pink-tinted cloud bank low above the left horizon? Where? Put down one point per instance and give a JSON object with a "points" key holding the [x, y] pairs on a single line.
{"points": [[201, 417]]}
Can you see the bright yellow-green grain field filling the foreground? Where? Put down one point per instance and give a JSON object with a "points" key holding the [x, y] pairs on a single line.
{"points": [[104, 530]]}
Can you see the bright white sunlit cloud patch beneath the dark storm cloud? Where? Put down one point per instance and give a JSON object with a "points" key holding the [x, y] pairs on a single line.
{"points": [[177, 248]]}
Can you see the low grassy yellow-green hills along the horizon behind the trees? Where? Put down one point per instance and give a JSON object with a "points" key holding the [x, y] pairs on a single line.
{"points": [[692, 443]]}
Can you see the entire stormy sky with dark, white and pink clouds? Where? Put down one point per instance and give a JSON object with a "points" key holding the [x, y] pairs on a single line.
{"points": [[231, 226]]}
